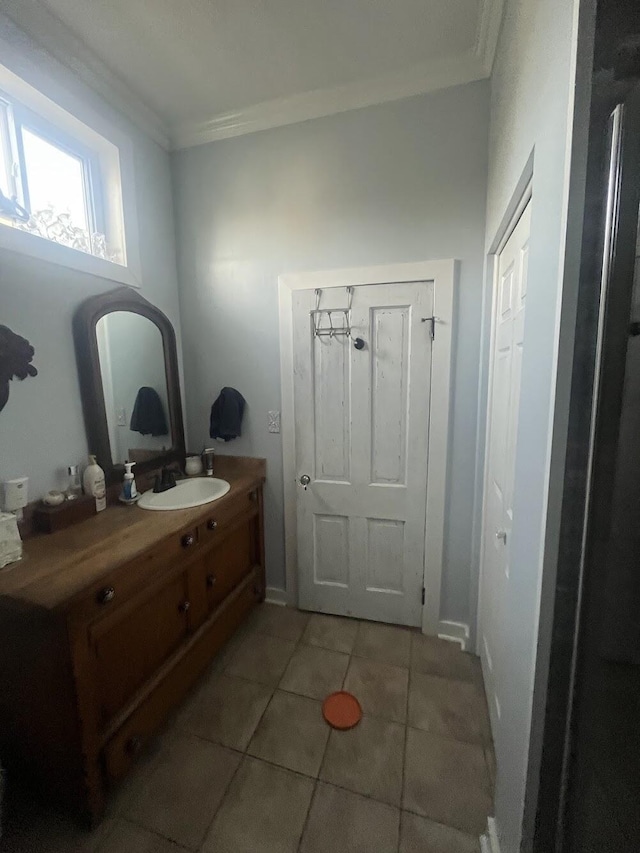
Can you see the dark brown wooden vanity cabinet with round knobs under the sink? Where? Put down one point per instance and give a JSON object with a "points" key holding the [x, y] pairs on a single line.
{"points": [[84, 684]]}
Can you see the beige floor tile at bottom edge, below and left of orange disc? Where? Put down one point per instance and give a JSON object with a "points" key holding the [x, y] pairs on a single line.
{"points": [[264, 811]]}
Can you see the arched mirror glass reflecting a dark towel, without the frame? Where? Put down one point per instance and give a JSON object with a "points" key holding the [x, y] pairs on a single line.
{"points": [[134, 381]]}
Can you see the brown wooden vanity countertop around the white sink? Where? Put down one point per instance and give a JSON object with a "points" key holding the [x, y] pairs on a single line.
{"points": [[59, 566]]}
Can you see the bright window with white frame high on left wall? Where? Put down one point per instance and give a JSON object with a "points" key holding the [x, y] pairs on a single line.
{"points": [[67, 178]]}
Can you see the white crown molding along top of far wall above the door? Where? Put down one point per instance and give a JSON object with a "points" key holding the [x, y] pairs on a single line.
{"points": [[422, 78]]}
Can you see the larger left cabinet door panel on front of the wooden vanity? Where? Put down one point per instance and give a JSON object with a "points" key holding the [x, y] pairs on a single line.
{"points": [[129, 650]]}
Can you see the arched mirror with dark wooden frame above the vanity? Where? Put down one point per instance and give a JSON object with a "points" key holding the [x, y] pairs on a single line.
{"points": [[128, 369]]}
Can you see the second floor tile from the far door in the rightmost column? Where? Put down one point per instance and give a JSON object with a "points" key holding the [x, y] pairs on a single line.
{"points": [[448, 707]]}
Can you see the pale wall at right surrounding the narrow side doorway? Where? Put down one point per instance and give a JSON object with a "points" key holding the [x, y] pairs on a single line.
{"points": [[532, 105]]}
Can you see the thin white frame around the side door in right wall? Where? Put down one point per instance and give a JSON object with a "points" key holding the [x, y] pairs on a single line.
{"points": [[505, 232]]}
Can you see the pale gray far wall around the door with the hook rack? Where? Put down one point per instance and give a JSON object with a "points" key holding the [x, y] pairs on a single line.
{"points": [[400, 182]]}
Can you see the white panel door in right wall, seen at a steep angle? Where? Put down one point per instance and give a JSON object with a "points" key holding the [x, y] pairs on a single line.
{"points": [[504, 401]]}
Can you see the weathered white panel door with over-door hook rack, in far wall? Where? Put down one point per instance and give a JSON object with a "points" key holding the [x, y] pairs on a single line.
{"points": [[362, 429]]}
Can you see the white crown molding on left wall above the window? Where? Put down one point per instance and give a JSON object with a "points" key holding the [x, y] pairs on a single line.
{"points": [[48, 32]]}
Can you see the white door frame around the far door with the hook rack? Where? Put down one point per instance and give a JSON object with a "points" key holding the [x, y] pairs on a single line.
{"points": [[443, 274]]}
